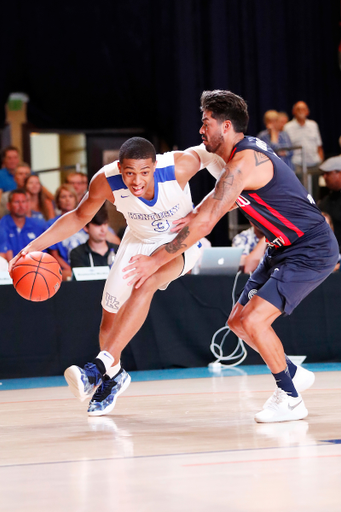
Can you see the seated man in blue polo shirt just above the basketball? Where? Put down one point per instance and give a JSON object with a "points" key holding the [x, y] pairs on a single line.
{"points": [[18, 229]]}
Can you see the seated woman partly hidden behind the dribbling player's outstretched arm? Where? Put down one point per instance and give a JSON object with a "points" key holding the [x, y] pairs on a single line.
{"points": [[66, 201]]}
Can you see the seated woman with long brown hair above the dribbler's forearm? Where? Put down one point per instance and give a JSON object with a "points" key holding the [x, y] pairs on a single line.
{"points": [[40, 207]]}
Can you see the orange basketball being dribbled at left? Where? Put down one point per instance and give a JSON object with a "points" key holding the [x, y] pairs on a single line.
{"points": [[37, 276]]}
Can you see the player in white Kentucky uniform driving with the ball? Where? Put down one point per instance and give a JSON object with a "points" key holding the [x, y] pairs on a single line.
{"points": [[152, 192]]}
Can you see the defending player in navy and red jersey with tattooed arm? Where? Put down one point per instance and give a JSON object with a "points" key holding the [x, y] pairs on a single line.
{"points": [[302, 250]]}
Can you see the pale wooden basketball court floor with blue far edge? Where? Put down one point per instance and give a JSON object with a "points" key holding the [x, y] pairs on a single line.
{"points": [[178, 440]]}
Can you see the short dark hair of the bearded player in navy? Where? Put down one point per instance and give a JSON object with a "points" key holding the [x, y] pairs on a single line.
{"points": [[225, 105]]}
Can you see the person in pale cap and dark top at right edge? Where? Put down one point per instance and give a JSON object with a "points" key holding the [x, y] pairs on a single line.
{"points": [[331, 204]]}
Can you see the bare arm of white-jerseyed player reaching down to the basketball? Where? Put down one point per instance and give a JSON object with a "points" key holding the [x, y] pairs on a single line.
{"points": [[72, 222]]}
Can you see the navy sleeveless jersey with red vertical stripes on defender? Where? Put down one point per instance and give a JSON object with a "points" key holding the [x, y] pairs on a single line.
{"points": [[283, 210]]}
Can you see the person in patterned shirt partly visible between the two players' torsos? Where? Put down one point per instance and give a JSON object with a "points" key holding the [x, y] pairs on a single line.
{"points": [[254, 245]]}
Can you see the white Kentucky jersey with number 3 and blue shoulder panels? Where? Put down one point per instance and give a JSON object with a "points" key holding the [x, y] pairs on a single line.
{"points": [[151, 220]]}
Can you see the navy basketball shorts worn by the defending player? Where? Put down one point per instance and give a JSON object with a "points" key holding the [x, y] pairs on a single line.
{"points": [[288, 274]]}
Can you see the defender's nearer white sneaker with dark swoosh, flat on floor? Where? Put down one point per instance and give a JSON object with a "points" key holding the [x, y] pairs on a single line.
{"points": [[282, 407]]}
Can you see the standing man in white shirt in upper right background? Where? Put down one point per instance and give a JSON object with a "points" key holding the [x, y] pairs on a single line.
{"points": [[305, 132]]}
